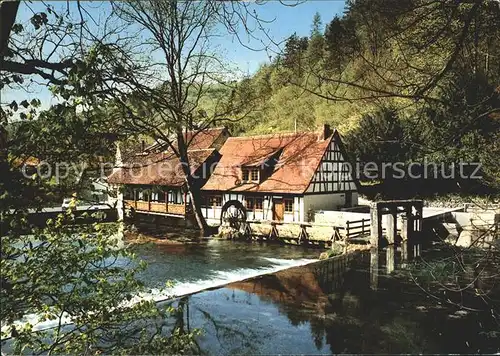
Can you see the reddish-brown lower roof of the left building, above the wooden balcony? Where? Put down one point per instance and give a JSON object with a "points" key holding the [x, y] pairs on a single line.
{"points": [[158, 168]]}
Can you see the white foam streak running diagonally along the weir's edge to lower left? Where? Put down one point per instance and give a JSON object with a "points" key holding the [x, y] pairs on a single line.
{"points": [[179, 289]]}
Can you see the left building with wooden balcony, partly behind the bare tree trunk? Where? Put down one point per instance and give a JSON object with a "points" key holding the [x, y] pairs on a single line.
{"points": [[152, 181]]}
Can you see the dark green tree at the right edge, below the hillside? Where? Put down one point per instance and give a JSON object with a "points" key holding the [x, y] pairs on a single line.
{"points": [[461, 127]]}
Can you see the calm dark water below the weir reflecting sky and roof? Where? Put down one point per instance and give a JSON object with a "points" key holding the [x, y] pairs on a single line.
{"points": [[330, 307]]}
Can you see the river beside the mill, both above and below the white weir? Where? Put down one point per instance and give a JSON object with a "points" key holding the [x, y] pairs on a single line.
{"points": [[362, 308]]}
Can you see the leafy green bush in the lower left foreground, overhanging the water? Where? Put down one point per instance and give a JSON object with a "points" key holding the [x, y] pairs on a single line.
{"points": [[78, 277]]}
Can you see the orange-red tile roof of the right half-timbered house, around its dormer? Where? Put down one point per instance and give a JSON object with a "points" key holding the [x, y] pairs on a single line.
{"points": [[299, 157]]}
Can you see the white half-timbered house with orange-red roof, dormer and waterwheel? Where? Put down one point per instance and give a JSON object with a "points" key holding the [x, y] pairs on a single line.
{"points": [[281, 177]]}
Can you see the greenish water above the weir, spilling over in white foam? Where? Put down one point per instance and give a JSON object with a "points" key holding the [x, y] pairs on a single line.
{"points": [[191, 268]]}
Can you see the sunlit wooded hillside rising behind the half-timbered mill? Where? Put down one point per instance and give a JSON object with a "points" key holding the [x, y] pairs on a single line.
{"points": [[403, 81]]}
